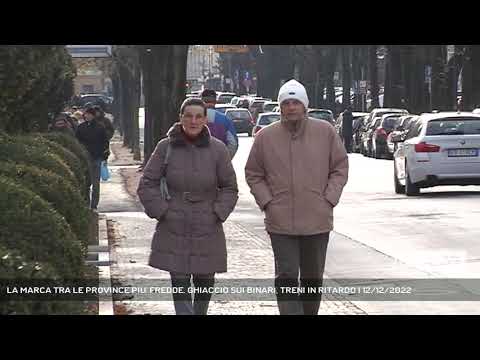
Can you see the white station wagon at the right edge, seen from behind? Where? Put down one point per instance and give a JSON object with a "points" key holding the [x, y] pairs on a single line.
{"points": [[440, 149]]}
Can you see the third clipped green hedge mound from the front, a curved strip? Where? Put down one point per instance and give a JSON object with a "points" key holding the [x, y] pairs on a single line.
{"points": [[57, 191]]}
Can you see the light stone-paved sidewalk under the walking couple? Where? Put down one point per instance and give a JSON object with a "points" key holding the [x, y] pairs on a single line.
{"points": [[249, 252]]}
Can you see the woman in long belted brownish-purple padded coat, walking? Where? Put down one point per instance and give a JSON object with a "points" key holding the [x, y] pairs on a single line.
{"points": [[200, 193]]}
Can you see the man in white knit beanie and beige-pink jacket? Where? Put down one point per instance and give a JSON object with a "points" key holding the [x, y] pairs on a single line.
{"points": [[296, 171]]}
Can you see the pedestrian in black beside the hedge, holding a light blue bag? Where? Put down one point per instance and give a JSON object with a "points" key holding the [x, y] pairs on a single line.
{"points": [[94, 137]]}
